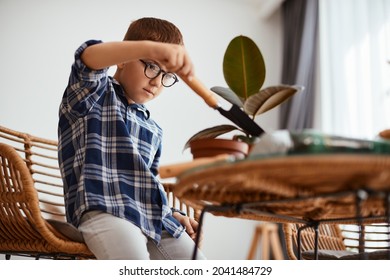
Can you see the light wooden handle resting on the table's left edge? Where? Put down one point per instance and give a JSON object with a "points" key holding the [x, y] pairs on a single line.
{"points": [[172, 170]]}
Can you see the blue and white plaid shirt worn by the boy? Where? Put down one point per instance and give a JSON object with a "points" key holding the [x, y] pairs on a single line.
{"points": [[109, 152]]}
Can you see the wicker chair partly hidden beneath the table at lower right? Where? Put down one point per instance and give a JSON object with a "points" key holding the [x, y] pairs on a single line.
{"points": [[338, 241]]}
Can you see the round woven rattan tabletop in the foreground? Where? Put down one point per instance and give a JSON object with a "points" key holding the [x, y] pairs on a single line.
{"points": [[308, 187]]}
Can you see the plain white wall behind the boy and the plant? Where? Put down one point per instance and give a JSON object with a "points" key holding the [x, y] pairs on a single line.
{"points": [[38, 41]]}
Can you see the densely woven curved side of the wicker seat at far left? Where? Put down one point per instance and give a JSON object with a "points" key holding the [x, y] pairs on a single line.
{"points": [[23, 229]]}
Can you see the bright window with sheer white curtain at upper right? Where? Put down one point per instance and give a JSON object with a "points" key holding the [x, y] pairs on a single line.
{"points": [[355, 67]]}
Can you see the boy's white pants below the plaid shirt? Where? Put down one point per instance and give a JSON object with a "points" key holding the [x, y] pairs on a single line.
{"points": [[113, 238]]}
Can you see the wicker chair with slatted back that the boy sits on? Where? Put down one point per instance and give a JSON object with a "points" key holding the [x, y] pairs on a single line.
{"points": [[32, 211]]}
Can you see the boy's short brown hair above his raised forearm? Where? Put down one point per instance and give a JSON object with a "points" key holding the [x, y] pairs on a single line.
{"points": [[154, 29]]}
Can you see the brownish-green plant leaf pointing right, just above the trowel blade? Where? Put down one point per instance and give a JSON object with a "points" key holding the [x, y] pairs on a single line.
{"points": [[269, 98]]}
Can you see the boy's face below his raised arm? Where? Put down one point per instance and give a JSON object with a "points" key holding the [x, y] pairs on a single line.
{"points": [[138, 88]]}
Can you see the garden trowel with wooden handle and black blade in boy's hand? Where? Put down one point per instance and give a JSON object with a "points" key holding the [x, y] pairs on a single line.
{"points": [[235, 114]]}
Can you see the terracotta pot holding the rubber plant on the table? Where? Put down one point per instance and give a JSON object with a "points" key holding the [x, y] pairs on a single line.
{"points": [[213, 147]]}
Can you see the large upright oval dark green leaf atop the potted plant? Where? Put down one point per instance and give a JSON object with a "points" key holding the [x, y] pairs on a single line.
{"points": [[243, 67]]}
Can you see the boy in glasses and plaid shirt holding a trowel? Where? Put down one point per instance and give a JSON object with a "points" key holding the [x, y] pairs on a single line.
{"points": [[109, 147]]}
